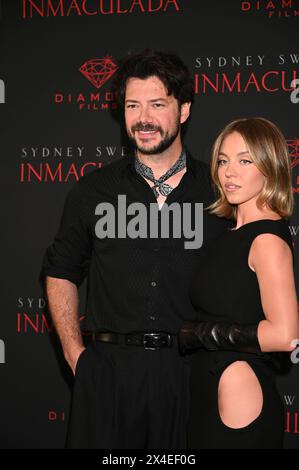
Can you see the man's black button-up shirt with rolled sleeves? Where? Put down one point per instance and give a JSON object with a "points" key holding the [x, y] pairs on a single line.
{"points": [[139, 284]]}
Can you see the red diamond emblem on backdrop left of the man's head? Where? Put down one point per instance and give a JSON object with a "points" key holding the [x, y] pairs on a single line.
{"points": [[98, 71]]}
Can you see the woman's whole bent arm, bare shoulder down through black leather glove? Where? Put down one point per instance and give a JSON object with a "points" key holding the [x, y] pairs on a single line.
{"points": [[271, 259]]}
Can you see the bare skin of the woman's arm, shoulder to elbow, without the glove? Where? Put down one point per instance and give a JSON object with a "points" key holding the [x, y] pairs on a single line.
{"points": [[271, 259]]}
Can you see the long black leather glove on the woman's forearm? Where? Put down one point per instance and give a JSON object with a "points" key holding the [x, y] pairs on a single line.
{"points": [[222, 336]]}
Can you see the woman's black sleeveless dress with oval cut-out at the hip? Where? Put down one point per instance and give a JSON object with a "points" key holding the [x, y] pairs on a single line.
{"points": [[226, 289]]}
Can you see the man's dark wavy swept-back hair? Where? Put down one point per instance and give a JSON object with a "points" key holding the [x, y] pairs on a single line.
{"points": [[169, 68]]}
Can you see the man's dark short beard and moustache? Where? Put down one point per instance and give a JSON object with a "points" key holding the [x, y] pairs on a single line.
{"points": [[167, 138]]}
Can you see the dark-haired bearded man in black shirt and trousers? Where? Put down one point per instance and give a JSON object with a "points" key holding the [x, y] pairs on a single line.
{"points": [[131, 383]]}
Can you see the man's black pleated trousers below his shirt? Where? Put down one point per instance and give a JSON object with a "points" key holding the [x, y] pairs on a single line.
{"points": [[126, 397]]}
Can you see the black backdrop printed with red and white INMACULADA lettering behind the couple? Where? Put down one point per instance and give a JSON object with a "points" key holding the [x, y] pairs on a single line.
{"points": [[57, 60]]}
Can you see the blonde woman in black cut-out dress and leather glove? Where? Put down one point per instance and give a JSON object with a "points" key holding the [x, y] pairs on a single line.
{"points": [[244, 293]]}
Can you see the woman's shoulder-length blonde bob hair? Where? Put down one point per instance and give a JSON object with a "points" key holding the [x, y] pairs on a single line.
{"points": [[269, 152]]}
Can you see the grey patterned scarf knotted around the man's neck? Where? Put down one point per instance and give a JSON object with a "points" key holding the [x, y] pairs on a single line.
{"points": [[164, 189]]}
